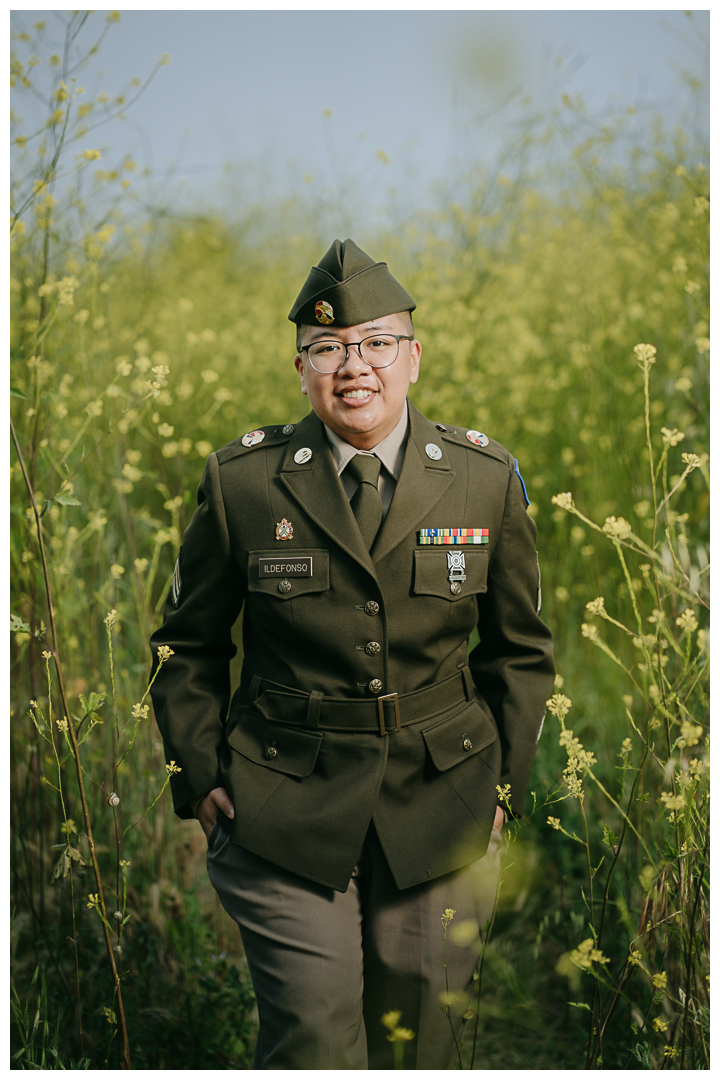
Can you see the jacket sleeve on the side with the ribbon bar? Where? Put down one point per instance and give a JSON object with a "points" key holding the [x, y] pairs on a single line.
{"points": [[513, 665]]}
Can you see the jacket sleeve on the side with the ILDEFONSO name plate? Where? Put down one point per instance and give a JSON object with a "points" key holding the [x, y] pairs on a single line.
{"points": [[192, 692]]}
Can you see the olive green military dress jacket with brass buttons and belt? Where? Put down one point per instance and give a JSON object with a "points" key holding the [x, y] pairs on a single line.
{"points": [[358, 700]]}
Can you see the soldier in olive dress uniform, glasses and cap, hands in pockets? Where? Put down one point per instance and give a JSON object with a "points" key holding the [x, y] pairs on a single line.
{"points": [[350, 789]]}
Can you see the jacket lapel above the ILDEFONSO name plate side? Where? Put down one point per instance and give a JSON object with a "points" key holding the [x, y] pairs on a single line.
{"points": [[317, 487]]}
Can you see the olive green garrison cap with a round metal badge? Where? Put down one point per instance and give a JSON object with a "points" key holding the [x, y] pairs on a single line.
{"points": [[348, 288]]}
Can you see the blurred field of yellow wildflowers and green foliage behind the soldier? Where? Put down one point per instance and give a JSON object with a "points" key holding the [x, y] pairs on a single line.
{"points": [[534, 285]]}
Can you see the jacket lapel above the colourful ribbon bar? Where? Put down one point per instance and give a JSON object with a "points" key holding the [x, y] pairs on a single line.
{"points": [[422, 484]]}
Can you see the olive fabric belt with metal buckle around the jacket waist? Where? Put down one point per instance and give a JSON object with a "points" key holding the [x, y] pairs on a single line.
{"points": [[387, 714]]}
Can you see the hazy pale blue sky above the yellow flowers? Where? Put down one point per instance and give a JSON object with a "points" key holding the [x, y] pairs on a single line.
{"points": [[242, 109]]}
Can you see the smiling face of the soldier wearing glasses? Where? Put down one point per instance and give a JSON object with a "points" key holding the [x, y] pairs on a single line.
{"points": [[360, 403]]}
